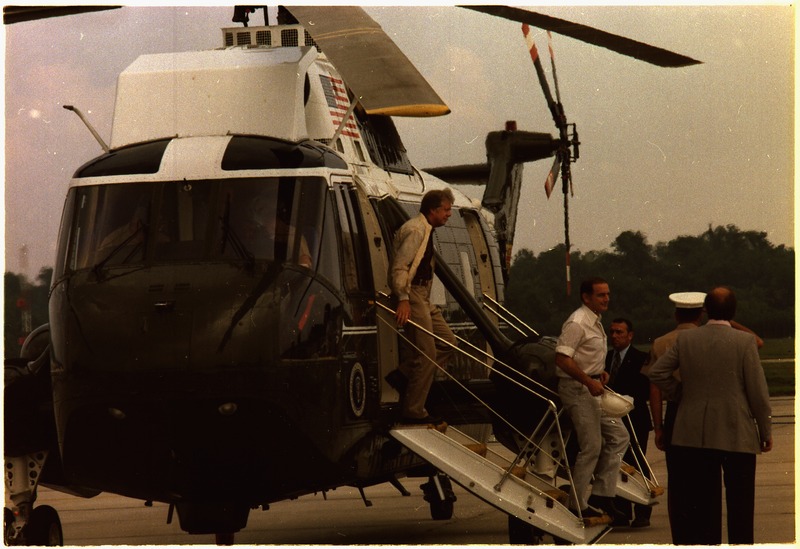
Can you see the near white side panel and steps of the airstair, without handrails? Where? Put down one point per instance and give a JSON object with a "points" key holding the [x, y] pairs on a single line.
{"points": [[489, 476]]}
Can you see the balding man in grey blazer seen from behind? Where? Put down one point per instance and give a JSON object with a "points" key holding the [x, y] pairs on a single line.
{"points": [[723, 421]]}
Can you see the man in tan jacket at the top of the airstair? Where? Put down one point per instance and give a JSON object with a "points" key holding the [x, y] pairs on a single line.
{"points": [[411, 279]]}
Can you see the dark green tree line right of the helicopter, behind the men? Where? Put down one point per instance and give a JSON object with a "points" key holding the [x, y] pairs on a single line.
{"points": [[641, 277]]}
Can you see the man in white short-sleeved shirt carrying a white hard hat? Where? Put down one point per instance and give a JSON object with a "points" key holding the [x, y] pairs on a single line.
{"points": [[580, 357]]}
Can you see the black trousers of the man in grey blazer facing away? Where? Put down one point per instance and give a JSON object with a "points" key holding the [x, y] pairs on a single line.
{"points": [[695, 483]]}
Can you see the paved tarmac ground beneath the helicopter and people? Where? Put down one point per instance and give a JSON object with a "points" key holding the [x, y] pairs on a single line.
{"points": [[343, 519]]}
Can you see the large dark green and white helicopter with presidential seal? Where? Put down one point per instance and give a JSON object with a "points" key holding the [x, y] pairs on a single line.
{"points": [[182, 339]]}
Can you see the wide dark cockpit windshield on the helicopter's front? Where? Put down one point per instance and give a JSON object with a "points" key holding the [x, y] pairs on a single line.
{"points": [[248, 219]]}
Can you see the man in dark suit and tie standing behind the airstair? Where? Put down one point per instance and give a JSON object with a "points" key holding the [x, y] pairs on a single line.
{"points": [[624, 366]]}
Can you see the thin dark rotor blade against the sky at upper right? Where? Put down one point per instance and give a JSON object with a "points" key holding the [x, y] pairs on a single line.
{"points": [[614, 42]]}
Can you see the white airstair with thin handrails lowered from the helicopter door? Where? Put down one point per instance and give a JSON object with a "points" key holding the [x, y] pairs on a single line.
{"points": [[532, 485]]}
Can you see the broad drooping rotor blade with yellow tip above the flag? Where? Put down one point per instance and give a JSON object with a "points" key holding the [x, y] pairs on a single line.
{"points": [[372, 65]]}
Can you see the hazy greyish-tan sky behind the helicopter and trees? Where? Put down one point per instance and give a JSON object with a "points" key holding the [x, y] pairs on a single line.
{"points": [[664, 151]]}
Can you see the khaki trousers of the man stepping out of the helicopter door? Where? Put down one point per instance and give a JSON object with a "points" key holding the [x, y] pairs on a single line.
{"points": [[419, 369]]}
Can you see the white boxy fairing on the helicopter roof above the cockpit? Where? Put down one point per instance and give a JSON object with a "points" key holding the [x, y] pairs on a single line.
{"points": [[240, 91]]}
